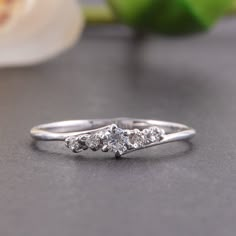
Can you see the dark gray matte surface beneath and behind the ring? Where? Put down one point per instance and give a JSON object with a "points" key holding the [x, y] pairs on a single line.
{"points": [[177, 189]]}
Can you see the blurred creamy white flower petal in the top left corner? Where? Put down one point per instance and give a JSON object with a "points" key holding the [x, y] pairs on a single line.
{"points": [[33, 31]]}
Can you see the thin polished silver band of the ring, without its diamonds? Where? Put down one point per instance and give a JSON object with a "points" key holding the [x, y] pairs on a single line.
{"points": [[60, 131]]}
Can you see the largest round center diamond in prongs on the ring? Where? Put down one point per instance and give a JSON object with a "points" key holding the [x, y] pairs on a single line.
{"points": [[117, 141]]}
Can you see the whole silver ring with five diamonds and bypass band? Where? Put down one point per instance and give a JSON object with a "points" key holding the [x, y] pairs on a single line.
{"points": [[119, 135]]}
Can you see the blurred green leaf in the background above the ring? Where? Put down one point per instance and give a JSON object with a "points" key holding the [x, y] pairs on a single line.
{"points": [[170, 16]]}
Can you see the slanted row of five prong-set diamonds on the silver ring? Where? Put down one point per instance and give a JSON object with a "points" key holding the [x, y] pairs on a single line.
{"points": [[115, 139]]}
